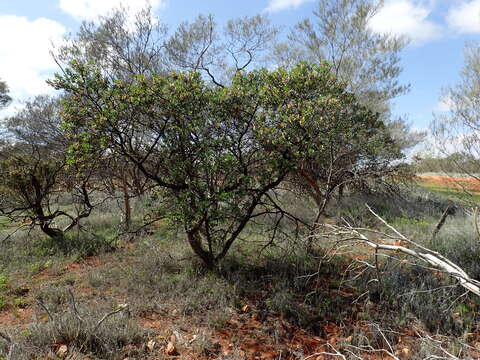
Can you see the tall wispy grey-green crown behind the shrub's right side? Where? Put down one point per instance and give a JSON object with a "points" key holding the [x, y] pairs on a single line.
{"points": [[368, 62]]}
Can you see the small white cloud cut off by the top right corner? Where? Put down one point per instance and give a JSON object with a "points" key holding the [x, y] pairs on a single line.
{"points": [[465, 17]]}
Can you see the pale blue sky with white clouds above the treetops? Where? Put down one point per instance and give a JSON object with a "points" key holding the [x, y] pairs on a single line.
{"points": [[439, 30]]}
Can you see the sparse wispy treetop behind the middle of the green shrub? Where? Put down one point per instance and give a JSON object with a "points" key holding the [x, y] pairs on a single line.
{"points": [[200, 46]]}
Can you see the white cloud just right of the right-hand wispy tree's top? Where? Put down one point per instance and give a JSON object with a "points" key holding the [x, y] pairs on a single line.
{"points": [[407, 17]]}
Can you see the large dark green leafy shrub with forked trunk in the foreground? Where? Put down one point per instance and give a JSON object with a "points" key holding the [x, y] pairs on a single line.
{"points": [[216, 154]]}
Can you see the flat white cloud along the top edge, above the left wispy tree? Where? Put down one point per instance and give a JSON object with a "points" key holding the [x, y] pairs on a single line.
{"points": [[91, 9]]}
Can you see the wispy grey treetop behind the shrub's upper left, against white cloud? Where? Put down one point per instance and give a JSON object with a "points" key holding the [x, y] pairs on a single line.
{"points": [[121, 48]]}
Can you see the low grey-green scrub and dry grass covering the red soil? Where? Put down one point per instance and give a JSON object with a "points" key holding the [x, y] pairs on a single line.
{"points": [[267, 293]]}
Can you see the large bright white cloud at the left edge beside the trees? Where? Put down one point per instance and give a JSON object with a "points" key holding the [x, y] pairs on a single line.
{"points": [[25, 61]]}
